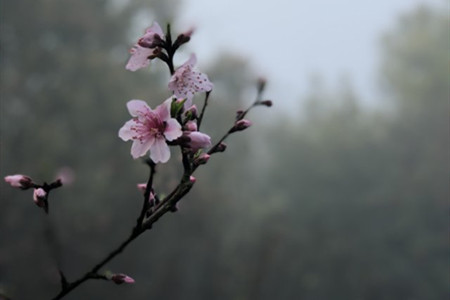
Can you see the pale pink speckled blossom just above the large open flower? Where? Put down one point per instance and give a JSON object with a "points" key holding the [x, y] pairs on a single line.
{"points": [[187, 80]]}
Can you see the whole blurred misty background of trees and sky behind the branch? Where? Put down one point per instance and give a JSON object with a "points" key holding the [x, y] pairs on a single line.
{"points": [[339, 191]]}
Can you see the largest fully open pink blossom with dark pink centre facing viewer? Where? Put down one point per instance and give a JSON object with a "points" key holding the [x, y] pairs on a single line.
{"points": [[149, 129]]}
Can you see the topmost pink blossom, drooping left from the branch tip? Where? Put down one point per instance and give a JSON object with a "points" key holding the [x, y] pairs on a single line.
{"points": [[142, 52]]}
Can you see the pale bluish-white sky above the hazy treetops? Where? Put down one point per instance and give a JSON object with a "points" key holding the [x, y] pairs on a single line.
{"points": [[288, 40]]}
